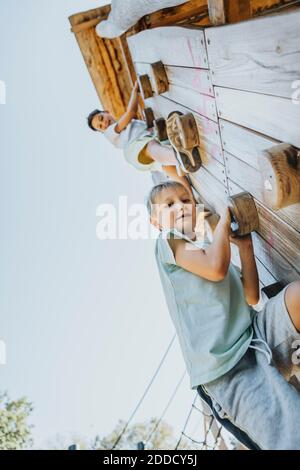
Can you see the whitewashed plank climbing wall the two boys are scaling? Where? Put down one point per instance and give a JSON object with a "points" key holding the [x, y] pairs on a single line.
{"points": [[238, 81]]}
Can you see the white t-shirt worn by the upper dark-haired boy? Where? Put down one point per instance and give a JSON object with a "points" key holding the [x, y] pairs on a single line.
{"points": [[135, 129]]}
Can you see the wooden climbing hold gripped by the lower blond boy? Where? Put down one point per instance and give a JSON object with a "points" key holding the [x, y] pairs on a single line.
{"points": [[243, 212]]}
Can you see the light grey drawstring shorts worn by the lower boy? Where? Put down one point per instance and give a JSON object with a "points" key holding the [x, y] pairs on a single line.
{"points": [[262, 398]]}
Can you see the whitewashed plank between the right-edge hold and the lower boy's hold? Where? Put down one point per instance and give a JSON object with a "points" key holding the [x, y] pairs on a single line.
{"points": [[249, 179]]}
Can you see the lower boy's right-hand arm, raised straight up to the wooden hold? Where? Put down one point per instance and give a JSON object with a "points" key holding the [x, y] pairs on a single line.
{"points": [[250, 278]]}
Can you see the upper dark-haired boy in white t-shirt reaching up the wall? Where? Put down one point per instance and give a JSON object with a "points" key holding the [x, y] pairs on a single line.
{"points": [[141, 148]]}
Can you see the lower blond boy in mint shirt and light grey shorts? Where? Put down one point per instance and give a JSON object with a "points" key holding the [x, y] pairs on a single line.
{"points": [[240, 358]]}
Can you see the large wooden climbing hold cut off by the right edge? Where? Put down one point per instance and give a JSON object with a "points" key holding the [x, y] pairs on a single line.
{"points": [[280, 170]]}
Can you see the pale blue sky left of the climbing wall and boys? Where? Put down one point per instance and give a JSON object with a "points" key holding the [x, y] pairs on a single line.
{"points": [[84, 321]]}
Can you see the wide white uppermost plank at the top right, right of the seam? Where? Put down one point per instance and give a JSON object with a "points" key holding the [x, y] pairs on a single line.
{"points": [[261, 55]]}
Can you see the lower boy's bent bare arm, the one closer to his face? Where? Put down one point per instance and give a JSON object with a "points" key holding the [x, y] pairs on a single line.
{"points": [[212, 262]]}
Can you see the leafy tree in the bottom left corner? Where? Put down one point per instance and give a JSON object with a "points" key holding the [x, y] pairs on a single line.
{"points": [[15, 432]]}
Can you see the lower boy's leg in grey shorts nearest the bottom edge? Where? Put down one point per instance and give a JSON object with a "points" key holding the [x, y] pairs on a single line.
{"points": [[257, 399]]}
